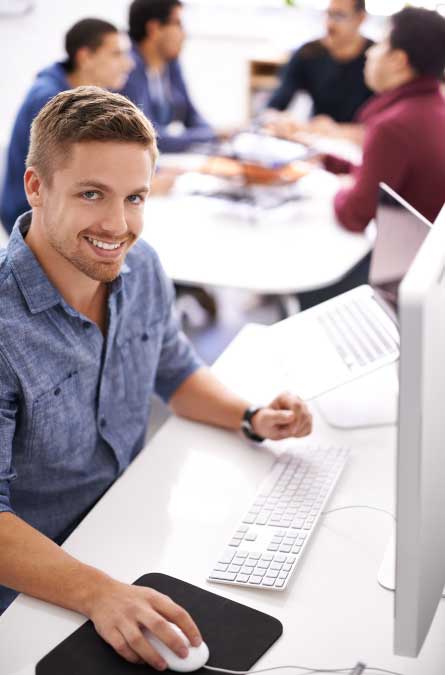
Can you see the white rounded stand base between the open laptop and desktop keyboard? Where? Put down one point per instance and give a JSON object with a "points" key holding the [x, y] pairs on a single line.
{"points": [[369, 401]]}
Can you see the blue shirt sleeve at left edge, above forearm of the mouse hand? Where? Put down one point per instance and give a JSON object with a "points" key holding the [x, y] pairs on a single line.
{"points": [[8, 414]]}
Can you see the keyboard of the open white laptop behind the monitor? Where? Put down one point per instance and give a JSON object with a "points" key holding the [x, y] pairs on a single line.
{"points": [[357, 334]]}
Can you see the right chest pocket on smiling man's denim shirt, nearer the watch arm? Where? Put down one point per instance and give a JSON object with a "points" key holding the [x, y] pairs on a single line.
{"points": [[139, 353]]}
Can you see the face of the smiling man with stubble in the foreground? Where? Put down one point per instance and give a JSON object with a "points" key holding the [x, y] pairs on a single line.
{"points": [[92, 211]]}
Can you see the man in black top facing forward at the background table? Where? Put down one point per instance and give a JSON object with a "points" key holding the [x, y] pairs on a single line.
{"points": [[330, 69]]}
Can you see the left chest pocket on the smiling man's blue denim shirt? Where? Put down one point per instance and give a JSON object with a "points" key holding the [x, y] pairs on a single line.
{"points": [[56, 427]]}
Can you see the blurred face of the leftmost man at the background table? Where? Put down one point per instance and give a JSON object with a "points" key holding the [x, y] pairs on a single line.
{"points": [[108, 65]]}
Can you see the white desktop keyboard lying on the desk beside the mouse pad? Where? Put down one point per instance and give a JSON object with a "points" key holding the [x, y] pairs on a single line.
{"points": [[270, 539]]}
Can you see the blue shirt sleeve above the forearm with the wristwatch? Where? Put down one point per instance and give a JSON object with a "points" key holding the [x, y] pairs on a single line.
{"points": [[178, 359]]}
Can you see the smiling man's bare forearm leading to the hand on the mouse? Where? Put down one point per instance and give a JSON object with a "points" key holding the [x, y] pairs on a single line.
{"points": [[33, 564]]}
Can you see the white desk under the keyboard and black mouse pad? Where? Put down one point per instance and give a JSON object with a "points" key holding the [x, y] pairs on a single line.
{"points": [[173, 510]]}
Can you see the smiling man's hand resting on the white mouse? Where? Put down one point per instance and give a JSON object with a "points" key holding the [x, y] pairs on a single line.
{"points": [[120, 612]]}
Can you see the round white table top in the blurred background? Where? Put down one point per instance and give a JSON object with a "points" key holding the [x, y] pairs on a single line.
{"points": [[291, 250]]}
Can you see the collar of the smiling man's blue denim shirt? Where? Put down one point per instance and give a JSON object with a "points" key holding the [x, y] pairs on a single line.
{"points": [[38, 291]]}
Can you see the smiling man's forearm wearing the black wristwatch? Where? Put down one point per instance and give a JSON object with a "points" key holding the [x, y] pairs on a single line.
{"points": [[203, 398]]}
